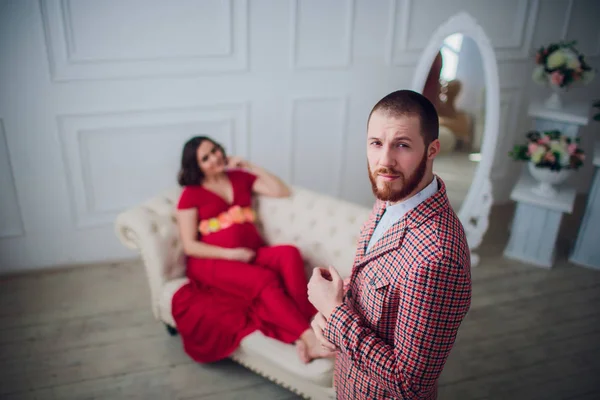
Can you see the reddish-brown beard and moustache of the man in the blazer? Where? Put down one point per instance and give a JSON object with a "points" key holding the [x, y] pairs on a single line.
{"points": [[387, 193]]}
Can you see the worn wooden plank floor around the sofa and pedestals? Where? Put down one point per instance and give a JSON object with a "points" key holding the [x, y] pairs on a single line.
{"points": [[88, 333]]}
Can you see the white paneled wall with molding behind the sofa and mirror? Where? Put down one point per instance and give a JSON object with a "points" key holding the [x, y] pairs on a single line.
{"points": [[97, 97]]}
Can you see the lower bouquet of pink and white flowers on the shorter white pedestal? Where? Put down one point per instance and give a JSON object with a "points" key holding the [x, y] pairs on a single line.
{"points": [[550, 149]]}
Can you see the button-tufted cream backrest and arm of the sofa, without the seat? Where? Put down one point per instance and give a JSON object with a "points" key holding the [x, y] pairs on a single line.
{"points": [[325, 229]]}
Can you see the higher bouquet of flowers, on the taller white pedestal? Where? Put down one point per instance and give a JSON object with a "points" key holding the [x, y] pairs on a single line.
{"points": [[561, 65]]}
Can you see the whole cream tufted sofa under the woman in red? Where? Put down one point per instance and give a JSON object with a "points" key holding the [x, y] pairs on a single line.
{"points": [[325, 230]]}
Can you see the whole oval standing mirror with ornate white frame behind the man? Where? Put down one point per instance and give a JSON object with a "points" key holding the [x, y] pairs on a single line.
{"points": [[458, 73]]}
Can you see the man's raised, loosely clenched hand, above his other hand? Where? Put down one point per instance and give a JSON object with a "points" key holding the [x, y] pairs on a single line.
{"points": [[325, 290]]}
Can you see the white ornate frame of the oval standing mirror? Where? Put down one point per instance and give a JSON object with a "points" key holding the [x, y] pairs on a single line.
{"points": [[475, 209]]}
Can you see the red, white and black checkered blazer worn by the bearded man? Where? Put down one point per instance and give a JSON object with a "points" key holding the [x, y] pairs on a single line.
{"points": [[405, 303]]}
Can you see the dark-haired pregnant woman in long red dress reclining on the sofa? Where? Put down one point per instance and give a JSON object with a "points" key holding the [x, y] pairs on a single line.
{"points": [[238, 284]]}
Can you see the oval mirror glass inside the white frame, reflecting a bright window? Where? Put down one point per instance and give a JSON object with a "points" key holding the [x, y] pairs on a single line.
{"points": [[456, 86]]}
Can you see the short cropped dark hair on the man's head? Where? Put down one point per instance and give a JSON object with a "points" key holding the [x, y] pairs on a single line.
{"points": [[409, 103]]}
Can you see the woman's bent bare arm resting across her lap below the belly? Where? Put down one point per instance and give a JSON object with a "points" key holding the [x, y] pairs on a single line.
{"points": [[187, 220]]}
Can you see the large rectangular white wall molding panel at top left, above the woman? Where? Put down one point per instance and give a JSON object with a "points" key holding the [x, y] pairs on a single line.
{"points": [[81, 50]]}
